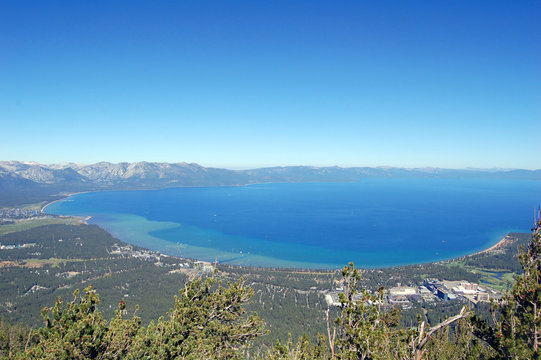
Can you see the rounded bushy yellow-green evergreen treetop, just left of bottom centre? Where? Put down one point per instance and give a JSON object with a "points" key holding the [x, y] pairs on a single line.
{"points": [[206, 322]]}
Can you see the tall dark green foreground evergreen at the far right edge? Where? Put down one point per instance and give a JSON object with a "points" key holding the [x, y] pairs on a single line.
{"points": [[517, 318]]}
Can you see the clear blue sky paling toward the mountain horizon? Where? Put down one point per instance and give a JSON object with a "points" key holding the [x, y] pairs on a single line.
{"points": [[241, 84]]}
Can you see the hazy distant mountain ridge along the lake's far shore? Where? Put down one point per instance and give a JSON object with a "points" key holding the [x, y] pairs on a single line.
{"points": [[22, 182]]}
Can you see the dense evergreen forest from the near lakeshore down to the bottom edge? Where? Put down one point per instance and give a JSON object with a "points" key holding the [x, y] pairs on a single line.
{"points": [[236, 312]]}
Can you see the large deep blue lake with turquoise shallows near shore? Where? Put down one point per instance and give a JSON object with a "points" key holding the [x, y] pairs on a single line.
{"points": [[376, 222]]}
